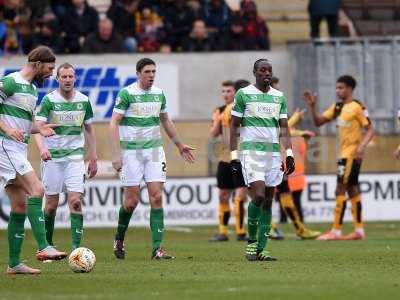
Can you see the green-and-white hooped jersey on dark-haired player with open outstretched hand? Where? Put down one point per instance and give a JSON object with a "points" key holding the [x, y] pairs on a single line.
{"points": [[140, 126]]}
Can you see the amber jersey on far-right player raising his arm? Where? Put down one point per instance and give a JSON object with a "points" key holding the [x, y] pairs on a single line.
{"points": [[351, 119]]}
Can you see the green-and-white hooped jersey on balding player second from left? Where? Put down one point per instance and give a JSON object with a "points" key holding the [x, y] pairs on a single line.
{"points": [[68, 142]]}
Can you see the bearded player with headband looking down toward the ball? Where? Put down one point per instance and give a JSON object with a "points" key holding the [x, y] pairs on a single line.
{"points": [[18, 98]]}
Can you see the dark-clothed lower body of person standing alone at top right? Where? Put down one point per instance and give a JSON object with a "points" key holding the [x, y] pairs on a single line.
{"points": [[324, 9]]}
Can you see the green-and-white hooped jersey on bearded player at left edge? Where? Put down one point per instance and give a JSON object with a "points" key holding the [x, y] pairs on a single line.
{"points": [[18, 99]]}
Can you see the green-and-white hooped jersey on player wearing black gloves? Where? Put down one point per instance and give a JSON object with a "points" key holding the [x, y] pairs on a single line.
{"points": [[260, 113]]}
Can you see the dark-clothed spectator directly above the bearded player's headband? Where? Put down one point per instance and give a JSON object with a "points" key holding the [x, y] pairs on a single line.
{"points": [[48, 33]]}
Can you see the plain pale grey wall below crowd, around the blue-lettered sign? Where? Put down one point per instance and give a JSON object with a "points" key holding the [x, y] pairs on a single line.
{"points": [[199, 75]]}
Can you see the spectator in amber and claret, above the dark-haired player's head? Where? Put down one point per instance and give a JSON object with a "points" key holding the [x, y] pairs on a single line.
{"points": [[149, 30]]}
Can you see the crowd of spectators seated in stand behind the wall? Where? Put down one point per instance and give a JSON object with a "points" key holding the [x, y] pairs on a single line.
{"points": [[130, 26]]}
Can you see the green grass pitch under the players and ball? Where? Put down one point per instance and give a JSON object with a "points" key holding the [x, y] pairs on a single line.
{"points": [[368, 269]]}
